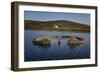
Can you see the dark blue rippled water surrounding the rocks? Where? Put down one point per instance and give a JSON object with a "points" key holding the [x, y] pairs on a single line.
{"points": [[55, 51]]}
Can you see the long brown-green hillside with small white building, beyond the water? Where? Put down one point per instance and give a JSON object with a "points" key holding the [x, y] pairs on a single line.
{"points": [[57, 25]]}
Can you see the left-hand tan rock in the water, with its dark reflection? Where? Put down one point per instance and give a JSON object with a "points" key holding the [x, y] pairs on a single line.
{"points": [[42, 41]]}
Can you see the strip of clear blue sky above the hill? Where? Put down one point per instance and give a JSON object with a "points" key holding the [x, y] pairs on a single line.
{"points": [[50, 16]]}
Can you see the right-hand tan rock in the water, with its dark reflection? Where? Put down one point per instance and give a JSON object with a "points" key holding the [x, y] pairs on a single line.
{"points": [[75, 41]]}
